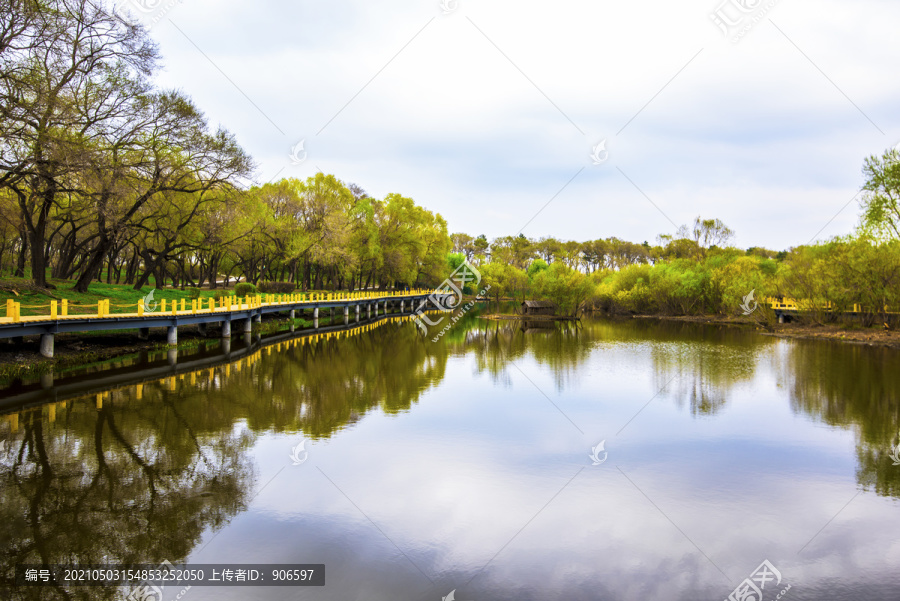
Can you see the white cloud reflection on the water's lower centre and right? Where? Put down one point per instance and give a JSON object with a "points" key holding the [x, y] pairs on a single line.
{"points": [[450, 509]]}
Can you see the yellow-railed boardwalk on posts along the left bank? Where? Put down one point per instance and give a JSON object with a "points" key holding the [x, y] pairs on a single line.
{"points": [[221, 311]]}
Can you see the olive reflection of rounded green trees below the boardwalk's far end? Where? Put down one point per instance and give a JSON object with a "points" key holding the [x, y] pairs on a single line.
{"points": [[320, 384]]}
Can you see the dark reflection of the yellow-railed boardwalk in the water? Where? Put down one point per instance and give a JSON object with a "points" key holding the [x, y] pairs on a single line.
{"points": [[195, 366]]}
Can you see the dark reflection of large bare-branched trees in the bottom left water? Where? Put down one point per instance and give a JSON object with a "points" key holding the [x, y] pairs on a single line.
{"points": [[130, 482]]}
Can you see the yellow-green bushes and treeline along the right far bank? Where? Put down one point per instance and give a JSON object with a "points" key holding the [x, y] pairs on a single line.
{"points": [[696, 272]]}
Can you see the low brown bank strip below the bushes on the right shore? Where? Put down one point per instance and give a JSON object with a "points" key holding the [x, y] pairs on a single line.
{"points": [[874, 336]]}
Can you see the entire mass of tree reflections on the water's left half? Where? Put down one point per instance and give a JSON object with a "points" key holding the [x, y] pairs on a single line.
{"points": [[138, 474]]}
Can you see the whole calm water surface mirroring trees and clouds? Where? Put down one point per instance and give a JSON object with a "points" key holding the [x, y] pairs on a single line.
{"points": [[602, 461]]}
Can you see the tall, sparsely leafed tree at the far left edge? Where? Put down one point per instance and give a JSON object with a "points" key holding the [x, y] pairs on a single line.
{"points": [[82, 66]]}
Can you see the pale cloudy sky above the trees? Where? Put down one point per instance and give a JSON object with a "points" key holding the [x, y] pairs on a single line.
{"points": [[573, 119]]}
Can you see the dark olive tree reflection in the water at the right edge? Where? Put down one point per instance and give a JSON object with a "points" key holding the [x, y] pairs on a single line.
{"points": [[852, 386]]}
